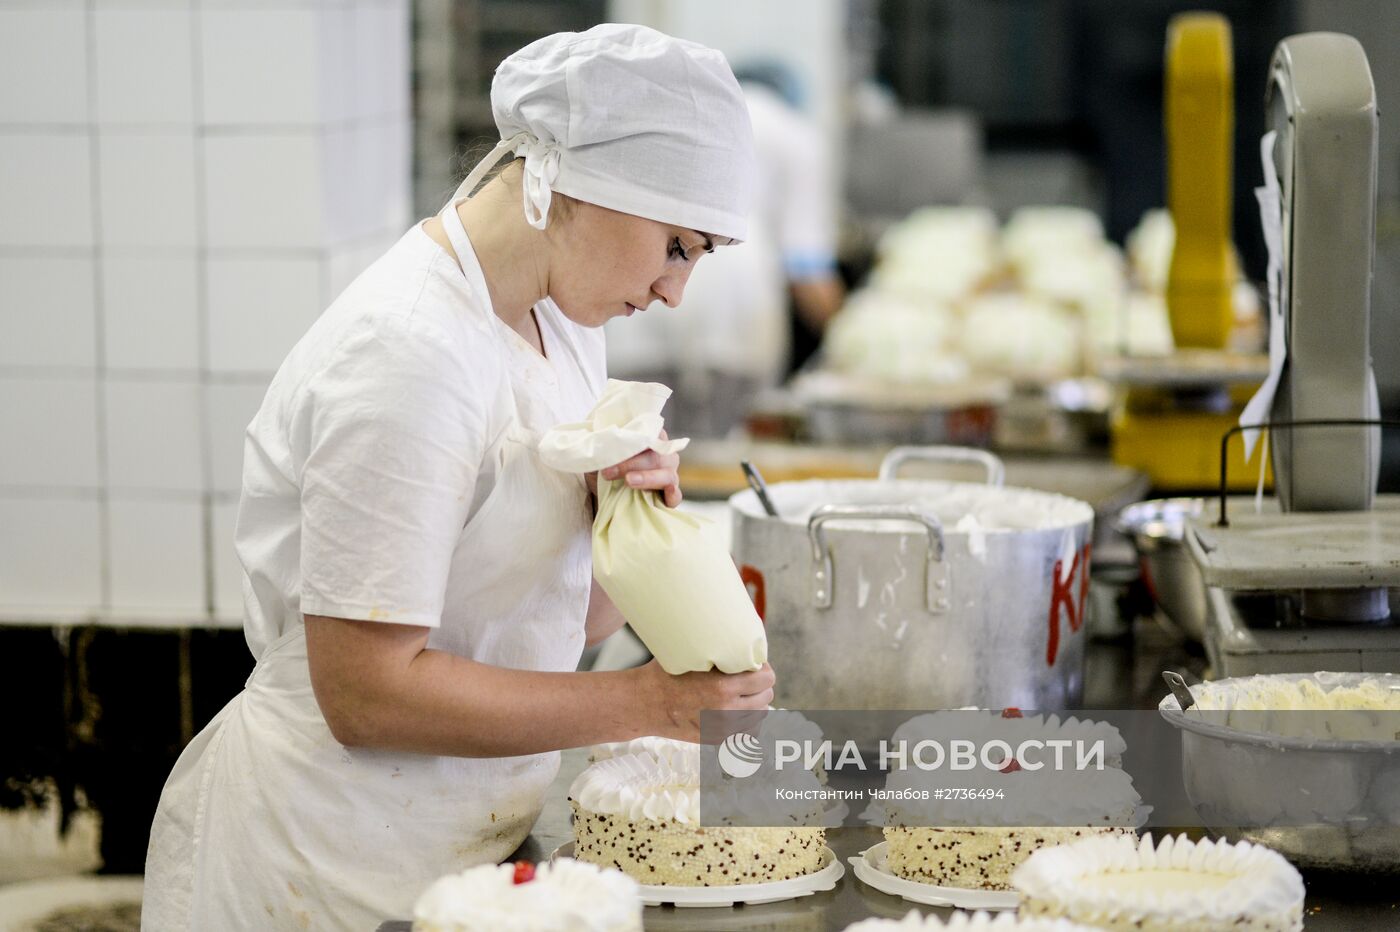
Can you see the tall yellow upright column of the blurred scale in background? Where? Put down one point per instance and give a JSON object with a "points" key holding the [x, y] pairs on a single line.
{"points": [[1200, 127]]}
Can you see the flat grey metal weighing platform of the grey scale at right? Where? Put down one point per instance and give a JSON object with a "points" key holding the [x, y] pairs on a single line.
{"points": [[1317, 551]]}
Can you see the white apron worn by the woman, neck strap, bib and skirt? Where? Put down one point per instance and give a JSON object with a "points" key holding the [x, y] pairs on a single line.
{"points": [[269, 824]]}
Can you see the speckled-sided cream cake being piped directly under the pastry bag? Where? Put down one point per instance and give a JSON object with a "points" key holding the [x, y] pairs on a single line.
{"points": [[640, 814]]}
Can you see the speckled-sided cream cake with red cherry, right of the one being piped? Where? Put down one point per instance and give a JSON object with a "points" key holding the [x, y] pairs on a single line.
{"points": [[976, 845]]}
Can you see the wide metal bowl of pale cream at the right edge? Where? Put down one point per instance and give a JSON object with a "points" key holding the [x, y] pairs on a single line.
{"points": [[1321, 803]]}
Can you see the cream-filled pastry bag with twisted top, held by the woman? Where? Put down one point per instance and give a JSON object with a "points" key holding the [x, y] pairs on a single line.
{"points": [[668, 572]]}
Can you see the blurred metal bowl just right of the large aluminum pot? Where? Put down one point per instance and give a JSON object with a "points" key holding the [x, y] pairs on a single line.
{"points": [[1157, 530]]}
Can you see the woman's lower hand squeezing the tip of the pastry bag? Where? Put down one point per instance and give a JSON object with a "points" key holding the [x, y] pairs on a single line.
{"points": [[677, 702]]}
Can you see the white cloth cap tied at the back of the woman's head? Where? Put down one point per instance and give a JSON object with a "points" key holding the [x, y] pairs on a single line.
{"points": [[631, 120]]}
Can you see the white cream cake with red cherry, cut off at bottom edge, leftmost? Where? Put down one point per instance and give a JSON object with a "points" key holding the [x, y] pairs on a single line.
{"points": [[562, 896]]}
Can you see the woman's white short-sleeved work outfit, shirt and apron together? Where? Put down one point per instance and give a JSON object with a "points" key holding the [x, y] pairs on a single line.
{"points": [[390, 476]]}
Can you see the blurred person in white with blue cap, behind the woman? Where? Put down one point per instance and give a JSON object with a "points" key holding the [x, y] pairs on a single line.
{"points": [[750, 316]]}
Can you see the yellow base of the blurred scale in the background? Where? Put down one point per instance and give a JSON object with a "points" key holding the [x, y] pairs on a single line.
{"points": [[1182, 450]]}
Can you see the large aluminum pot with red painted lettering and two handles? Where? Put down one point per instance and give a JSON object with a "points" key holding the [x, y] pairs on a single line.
{"points": [[919, 594]]}
